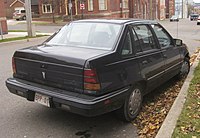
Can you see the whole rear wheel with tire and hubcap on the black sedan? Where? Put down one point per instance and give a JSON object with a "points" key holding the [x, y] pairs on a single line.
{"points": [[132, 105]]}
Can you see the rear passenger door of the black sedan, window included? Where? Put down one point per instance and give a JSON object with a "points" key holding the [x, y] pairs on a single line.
{"points": [[149, 55]]}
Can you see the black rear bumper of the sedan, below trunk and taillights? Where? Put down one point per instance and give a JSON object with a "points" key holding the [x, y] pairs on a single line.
{"points": [[73, 102]]}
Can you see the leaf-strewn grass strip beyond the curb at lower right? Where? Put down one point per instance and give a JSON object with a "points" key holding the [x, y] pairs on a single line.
{"points": [[188, 124]]}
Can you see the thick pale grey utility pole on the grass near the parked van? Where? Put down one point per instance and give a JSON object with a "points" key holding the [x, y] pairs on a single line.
{"points": [[28, 17]]}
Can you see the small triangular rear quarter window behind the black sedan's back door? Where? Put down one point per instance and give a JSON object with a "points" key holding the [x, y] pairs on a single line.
{"points": [[127, 47]]}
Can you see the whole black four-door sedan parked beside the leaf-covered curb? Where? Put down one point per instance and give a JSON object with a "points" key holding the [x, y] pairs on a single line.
{"points": [[91, 67]]}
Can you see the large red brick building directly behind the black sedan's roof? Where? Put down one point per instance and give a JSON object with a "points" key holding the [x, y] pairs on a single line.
{"points": [[146, 9]]}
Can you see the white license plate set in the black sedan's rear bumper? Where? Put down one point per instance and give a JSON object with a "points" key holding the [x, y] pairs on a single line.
{"points": [[42, 99]]}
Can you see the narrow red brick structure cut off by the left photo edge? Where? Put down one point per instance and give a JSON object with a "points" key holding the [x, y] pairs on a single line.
{"points": [[3, 18]]}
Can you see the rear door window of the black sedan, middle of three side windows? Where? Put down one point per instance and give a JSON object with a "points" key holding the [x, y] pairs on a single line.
{"points": [[145, 37]]}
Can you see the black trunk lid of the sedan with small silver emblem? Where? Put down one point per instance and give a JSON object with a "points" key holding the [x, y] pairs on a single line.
{"points": [[56, 66]]}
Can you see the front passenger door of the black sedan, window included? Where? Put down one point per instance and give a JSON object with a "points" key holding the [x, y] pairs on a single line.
{"points": [[171, 53]]}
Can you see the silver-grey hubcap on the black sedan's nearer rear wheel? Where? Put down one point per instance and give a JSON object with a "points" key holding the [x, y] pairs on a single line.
{"points": [[134, 101]]}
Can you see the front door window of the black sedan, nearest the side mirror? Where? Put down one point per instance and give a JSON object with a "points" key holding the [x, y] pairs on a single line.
{"points": [[163, 38]]}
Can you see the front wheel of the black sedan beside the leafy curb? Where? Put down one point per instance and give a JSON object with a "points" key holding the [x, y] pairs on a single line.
{"points": [[185, 68]]}
